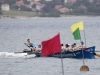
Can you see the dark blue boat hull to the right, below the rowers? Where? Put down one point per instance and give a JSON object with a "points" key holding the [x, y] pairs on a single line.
{"points": [[88, 53]]}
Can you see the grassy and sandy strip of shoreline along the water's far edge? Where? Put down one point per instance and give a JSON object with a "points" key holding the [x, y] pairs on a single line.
{"points": [[25, 15]]}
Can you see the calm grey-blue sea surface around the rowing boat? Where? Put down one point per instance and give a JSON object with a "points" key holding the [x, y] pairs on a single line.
{"points": [[15, 32]]}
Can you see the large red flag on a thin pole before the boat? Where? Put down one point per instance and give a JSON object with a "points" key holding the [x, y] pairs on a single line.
{"points": [[51, 46]]}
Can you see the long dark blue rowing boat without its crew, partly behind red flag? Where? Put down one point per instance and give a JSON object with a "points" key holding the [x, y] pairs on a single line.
{"points": [[88, 53]]}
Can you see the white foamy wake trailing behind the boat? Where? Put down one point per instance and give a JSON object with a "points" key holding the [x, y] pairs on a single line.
{"points": [[16, 55]]}
